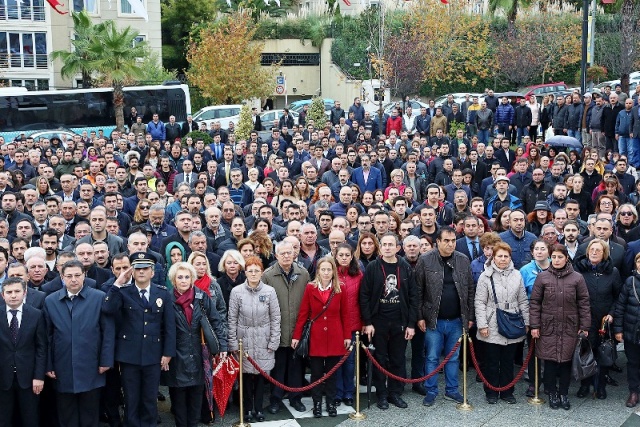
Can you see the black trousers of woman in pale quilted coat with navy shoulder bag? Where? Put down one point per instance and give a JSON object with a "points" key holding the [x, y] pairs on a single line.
{"points": [[499, 372]]}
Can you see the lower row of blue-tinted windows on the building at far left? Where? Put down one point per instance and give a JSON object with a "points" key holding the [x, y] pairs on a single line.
{"points": [[23, 50]]}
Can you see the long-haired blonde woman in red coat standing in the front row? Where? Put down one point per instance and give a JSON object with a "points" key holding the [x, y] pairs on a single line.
{"points": [[330, 332]]}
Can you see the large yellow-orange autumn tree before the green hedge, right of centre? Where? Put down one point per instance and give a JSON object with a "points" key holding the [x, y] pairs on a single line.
{"points": [[456, 44]]}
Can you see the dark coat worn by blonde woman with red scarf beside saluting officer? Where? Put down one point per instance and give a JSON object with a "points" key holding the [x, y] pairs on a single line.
{"points": [[185, 370]]}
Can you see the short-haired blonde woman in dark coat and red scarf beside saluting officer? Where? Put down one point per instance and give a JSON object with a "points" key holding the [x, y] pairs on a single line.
{"points": [[185, 377]]}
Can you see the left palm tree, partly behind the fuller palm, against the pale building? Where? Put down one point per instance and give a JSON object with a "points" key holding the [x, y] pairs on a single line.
{"points": [[75, 61]]}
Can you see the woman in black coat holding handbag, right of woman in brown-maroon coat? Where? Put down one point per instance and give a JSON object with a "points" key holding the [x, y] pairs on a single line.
{"points": [[603, 282]]}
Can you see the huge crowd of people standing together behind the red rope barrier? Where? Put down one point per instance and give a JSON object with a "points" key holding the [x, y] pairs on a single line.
{"points": [[119, 252]]}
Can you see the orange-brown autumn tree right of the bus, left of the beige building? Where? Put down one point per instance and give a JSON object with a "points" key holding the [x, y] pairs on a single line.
{"points": [[225, 63]]}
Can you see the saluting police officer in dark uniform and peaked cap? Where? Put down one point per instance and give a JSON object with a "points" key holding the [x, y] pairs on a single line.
{"points": [[146, 339]]}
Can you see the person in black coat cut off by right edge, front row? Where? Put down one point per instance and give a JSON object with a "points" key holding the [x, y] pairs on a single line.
{"points": [[626, 326]]}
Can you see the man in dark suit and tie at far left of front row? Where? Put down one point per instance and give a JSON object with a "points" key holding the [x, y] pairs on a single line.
{"points": [[23, 356]]}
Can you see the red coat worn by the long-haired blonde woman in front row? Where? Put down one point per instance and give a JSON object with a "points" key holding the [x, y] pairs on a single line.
{"points": [[328, 331]]}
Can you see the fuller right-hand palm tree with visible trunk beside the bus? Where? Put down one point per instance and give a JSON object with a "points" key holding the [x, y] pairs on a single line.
{"points": [[116, 55]]}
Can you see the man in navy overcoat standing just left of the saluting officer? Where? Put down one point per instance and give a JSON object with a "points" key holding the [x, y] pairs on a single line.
{"points": [[82, 346]]}
